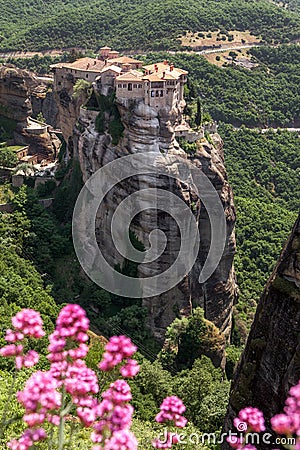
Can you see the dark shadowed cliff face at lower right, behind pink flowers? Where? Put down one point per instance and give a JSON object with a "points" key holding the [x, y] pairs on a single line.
{"points": [[270, 364]]}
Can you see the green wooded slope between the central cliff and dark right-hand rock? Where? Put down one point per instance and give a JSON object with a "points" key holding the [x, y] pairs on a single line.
{"points": [[264, 171]]}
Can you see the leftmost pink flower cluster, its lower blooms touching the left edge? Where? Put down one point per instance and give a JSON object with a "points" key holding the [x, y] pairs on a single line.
{"points": [[26, 323]]}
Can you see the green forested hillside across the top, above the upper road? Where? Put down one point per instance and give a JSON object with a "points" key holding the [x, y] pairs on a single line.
{"points": [[58, 24]]}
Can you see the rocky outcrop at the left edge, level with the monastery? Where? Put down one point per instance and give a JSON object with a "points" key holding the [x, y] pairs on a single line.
{"points": [[14, 93]]}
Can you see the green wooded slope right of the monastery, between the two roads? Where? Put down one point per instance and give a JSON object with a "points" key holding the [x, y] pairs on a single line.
{"points": [[260, 97]]}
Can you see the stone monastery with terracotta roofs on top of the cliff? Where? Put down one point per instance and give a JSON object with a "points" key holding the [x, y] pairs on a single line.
{"points": [[157, 85]]}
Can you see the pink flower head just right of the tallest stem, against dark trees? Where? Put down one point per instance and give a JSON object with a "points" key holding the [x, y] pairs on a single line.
{"points": [[118, 349]]}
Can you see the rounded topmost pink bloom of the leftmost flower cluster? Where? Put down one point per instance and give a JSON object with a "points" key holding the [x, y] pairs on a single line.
{"points": [[29, 323]]}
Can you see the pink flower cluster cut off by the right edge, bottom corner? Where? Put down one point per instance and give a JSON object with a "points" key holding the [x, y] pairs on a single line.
{"points": [[289, 422]]}
